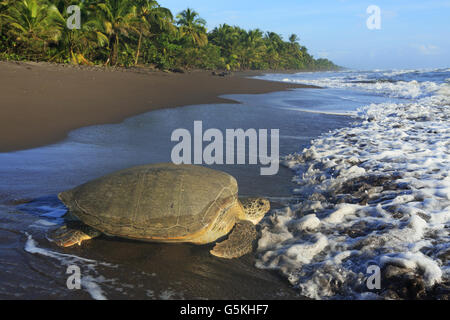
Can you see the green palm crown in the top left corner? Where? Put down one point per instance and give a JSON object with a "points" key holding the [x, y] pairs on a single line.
{"points": [[31, 22]]}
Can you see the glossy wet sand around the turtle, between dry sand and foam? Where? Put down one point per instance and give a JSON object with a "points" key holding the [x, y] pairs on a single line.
{"points": [[33, 267]]}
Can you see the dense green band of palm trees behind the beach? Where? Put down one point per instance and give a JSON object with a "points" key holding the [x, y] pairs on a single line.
{"points": [[141, 32]]}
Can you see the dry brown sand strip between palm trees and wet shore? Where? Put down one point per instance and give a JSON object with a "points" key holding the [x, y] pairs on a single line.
{"points": [[42, 102]]}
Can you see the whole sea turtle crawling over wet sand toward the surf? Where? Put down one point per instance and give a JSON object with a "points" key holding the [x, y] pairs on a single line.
{"points": [[163, 203]]}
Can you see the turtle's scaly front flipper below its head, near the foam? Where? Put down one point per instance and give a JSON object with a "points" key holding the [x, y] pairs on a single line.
{"points": [[239, 242]]}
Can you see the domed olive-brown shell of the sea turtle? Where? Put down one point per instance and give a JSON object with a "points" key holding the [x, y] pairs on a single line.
{"points": [[161, 202]]}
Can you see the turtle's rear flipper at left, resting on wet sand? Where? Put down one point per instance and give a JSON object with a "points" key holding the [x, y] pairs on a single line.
{"points": [[67, 236]]}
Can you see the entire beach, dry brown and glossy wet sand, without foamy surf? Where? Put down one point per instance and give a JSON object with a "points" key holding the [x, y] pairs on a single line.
{"points": [[31, 267]]}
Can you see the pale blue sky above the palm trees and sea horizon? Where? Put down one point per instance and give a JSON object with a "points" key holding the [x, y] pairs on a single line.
{"points": [[413, 34]]}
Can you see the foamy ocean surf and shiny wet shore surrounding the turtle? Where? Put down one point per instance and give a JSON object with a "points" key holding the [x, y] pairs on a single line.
{"points": [[364, 182]]}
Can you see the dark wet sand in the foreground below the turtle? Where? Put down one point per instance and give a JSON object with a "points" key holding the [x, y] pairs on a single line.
{"points": [[121, 269]]}
